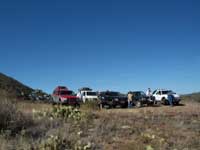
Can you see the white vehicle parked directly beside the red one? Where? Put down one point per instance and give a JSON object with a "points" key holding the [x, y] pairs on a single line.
{"points": [[86, 94]]}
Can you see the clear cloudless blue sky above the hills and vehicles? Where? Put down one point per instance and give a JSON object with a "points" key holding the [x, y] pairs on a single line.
{"points": [[119, 45]]}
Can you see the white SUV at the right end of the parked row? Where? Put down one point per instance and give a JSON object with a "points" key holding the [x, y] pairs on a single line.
{"points": [[162, 96]]}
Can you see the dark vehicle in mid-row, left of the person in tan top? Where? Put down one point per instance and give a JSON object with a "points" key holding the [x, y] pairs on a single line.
{"points": [[112, 99]]}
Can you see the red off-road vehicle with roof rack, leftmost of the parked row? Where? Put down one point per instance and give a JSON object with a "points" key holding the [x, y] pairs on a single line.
{"points": [[62, 95]]}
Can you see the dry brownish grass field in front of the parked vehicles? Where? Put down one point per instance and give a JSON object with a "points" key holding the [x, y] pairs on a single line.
{"points": [[146, 128]]}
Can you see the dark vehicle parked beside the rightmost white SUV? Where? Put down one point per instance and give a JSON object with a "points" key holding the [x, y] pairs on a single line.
{"points": [[139, 99]]}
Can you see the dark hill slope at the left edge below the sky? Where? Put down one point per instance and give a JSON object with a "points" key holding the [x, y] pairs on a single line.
{"points": [[12, 87]]}
